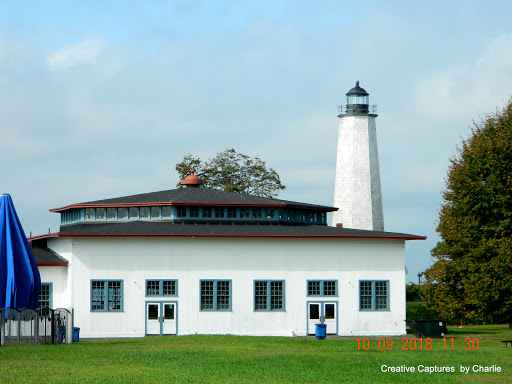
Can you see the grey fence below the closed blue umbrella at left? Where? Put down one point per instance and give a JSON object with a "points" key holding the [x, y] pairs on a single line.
{"points": [[30, 326]]}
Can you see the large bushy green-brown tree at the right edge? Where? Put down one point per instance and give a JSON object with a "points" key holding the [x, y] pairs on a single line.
{"points": [[472, 275]]}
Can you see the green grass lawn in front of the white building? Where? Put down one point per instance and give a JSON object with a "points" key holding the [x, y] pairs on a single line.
{"points": [[235, 359]]}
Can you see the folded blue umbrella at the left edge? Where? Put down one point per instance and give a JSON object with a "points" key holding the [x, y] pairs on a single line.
{"points": [[19, 277]]}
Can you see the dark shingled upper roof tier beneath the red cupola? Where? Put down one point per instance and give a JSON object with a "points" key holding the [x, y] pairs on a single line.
{"points": [[196, 196]]}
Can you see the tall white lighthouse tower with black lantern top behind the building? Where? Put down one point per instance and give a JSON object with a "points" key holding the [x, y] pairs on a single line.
{"points": [[357, 191]]}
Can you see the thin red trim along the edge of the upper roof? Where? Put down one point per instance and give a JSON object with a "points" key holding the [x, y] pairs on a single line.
{"points": [[314, 207]]}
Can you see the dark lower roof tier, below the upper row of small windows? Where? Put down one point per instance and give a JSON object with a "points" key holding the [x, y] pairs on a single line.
{"points": [[151, 228]]}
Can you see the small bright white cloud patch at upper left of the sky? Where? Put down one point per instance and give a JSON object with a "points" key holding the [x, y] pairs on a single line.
{"points": [[85, 52]]}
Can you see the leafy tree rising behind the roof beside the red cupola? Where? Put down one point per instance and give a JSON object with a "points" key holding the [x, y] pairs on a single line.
{"points": [[233, 172]]}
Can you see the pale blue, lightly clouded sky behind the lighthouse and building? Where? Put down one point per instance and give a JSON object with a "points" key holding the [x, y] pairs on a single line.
{"points": [[101, 99]]}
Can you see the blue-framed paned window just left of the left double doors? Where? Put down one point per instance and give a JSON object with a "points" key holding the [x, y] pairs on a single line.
{"points": [[106, 295]]}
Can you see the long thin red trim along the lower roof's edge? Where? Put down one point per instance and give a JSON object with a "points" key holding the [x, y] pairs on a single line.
{"points": [[249, 236]]}
